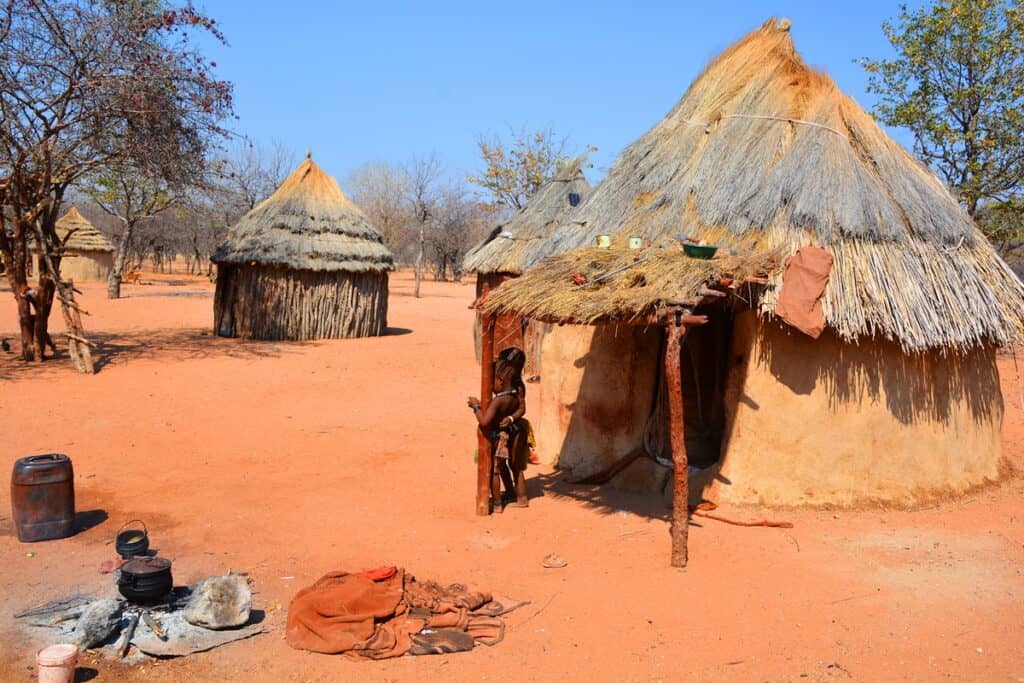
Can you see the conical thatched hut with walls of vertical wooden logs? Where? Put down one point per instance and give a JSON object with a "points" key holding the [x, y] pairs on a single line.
{"points": [[307, 264]]}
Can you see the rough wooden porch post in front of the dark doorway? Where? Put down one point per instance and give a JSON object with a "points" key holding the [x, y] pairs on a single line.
{"points": [[680, 489]]}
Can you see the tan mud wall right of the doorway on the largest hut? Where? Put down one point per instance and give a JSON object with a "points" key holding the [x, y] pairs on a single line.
{"points": [[821, 422]]}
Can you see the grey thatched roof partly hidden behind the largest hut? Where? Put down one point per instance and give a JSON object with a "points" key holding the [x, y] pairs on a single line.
{"points": [[520, 239]]}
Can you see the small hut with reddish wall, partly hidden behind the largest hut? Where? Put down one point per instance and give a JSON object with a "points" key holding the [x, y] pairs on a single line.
{"points": [[505, 252]]}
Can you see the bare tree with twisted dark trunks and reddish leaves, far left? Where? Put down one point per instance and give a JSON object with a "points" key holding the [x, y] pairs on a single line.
{"points": [[88, 86]]}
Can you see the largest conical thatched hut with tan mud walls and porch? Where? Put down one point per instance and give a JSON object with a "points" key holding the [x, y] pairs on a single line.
{"points": [[898, 400]]}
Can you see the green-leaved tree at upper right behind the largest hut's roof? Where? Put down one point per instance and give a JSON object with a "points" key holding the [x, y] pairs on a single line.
{"points": [[958, 84]]}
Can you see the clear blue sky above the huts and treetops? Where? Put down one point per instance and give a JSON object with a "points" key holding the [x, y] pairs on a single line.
{"points": [[387, 81]]}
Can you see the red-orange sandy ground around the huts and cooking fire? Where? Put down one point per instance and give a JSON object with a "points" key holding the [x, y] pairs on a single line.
{"points": [[288, 461]]}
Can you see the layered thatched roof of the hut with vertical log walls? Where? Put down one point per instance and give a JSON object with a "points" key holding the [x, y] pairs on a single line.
{"points": [[308, 225]]}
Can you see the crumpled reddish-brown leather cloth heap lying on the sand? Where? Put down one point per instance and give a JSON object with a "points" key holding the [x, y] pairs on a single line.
{"points": [[375, 620]]}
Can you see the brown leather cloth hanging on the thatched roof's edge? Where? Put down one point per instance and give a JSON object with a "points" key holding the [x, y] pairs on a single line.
{"points": [[804, 282]]}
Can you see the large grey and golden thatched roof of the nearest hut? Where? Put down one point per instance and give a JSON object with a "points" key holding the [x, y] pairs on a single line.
{"points": [[764, 155]]}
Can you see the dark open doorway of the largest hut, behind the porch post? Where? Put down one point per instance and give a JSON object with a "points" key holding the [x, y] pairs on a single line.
{"points": [[704, 369]]}
